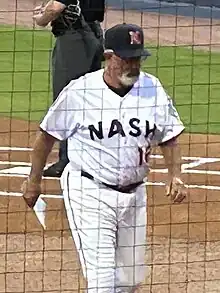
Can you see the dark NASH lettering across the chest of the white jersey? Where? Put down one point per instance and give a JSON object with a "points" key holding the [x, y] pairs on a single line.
{"points": [[117, 128]]}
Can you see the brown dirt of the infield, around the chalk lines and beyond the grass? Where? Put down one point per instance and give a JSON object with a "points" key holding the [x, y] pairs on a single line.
{"points": [[183, 250]]}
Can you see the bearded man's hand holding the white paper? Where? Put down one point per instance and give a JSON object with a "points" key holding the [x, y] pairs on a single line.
{"points": [[31, 191]]}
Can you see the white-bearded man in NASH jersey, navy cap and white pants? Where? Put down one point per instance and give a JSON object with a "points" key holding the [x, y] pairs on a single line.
{"points": [[111, 118]]}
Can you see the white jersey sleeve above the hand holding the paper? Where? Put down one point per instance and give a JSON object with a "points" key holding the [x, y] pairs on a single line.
{"points": [[60, 121]]}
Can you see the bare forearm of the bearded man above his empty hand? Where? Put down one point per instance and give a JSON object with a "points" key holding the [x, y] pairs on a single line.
{"points": [[172, 157]]}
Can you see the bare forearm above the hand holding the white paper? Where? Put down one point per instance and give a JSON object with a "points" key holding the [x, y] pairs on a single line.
{"points": [[41, 149]]}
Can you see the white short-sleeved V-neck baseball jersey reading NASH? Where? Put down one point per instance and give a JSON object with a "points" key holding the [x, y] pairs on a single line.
{"points": [[108, 135]]}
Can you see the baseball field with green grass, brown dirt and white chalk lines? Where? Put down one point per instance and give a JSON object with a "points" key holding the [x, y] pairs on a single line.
{"points": [[183, 246]]}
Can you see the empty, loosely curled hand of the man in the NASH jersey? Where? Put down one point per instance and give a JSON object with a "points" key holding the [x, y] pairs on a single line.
{"points": [[176, 189]]}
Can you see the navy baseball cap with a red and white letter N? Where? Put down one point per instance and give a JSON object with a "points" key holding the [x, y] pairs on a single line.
{"points": [[126, 41]]}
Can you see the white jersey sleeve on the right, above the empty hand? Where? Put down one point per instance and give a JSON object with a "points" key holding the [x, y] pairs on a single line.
{"points": [[167, 119]]}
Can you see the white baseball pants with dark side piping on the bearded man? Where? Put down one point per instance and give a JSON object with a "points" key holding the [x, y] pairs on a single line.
{"points": [[109, 231]]}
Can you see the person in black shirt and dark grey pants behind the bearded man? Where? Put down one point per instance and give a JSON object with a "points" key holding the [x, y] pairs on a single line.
{"points": [[78, 48]]}
